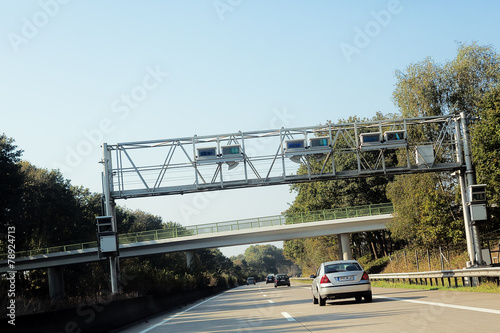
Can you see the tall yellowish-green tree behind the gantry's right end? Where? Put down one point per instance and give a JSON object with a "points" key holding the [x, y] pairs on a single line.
{"points": [[429, 89]]}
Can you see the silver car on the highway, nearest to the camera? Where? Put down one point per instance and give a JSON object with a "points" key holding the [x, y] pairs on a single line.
{"points": [[340, 279]]}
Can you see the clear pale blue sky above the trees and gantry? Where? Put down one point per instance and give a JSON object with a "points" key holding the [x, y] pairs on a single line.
{"points": [[208, 67]]}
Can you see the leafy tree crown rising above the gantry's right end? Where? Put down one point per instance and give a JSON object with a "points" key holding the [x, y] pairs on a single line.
{"points": [[459, 85]]}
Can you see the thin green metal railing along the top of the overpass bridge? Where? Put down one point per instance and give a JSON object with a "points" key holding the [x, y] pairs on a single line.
{"points": [[211, 228]]}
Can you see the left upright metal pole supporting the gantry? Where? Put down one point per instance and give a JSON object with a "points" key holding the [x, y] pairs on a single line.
{"points": [[109, 208]]}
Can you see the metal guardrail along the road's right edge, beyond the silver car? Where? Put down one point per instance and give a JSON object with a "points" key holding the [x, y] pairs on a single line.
{"points": [[467, 275]]}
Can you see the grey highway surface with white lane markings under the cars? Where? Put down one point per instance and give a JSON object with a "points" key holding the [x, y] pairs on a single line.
{"points": [[263, 308]]}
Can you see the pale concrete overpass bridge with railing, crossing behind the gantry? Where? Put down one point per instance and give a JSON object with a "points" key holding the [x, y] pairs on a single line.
{"points": [[341, 222]]}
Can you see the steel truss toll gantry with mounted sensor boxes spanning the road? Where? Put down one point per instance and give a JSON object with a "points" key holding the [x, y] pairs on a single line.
{"points": [[272, 157]]}
